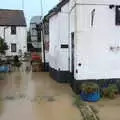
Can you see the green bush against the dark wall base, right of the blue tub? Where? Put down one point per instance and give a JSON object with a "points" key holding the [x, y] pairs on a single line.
{"points": [[111, 91]]}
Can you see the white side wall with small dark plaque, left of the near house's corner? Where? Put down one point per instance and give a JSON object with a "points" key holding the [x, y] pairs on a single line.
{"points": [[59, 35]]}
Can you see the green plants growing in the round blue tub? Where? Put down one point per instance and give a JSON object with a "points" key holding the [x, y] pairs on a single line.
{"points": [[89, 87]]}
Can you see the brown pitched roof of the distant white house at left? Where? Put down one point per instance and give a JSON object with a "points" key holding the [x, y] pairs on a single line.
{"points": [[12, 18]]}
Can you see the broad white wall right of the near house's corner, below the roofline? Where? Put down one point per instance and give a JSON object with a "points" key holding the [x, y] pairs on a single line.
{"points": [[93, 43]]}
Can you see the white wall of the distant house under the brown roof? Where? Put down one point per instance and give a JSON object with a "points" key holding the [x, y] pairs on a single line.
{"points": [[20, 39]]}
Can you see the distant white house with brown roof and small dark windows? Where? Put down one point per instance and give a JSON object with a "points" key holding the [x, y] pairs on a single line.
{"points": [[13, 30]]}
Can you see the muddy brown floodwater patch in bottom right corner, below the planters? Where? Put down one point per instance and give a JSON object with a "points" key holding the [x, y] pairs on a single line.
{"points": [[108, 109]]}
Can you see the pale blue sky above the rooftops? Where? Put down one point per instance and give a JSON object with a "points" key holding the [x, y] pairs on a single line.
{"points": [[31, 7]]}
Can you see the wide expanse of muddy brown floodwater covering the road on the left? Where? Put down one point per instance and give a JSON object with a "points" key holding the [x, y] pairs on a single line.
{"points": [[35, 96]]}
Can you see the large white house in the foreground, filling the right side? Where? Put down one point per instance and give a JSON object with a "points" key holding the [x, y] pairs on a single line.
{"points": [[85, 40]]}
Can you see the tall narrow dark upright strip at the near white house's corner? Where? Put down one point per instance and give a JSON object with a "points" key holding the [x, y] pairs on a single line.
{"points": [[72, 52]]}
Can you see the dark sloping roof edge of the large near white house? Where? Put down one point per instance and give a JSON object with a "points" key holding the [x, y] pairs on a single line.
{"points": [[56, 9]]}
